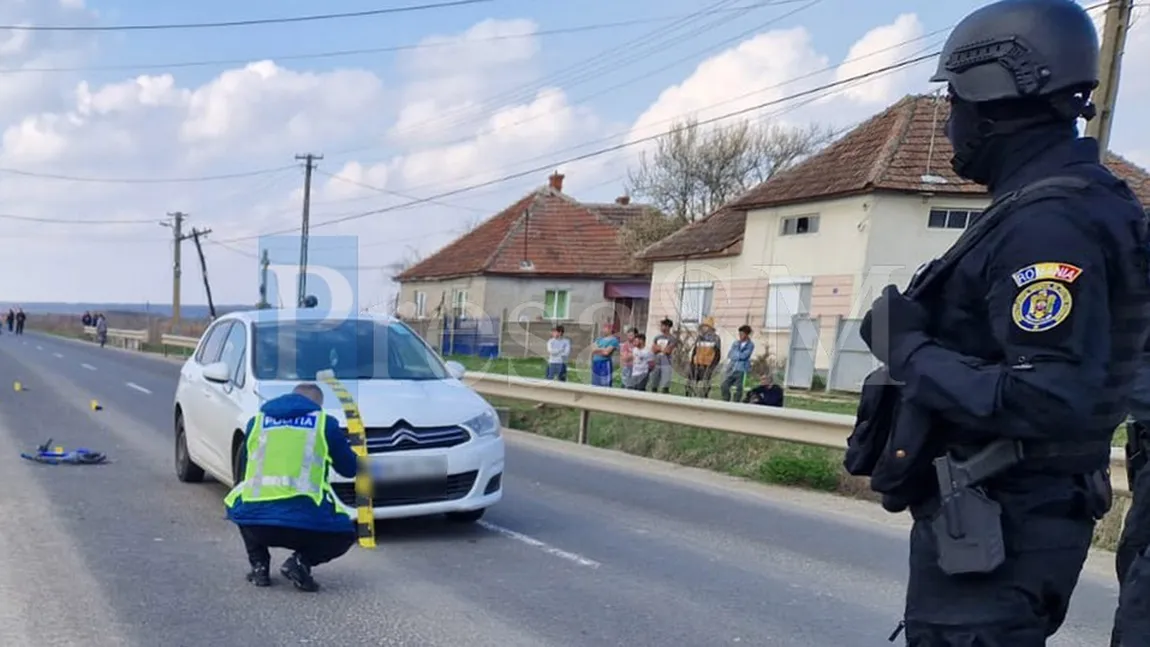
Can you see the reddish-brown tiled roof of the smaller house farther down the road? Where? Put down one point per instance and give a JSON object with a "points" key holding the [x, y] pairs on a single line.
{"points": [[563, 238]]}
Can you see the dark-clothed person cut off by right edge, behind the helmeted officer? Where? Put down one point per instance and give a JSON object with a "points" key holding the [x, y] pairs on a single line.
{"points": [[1132, 622]]}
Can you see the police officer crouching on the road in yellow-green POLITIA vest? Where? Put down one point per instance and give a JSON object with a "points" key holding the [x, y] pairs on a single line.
{"points": [[285, 500]]}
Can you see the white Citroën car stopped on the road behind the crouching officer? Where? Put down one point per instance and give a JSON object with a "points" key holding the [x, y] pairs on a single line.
{"points": [[441, 443]]}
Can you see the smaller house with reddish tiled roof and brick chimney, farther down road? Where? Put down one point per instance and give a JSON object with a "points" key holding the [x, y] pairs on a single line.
{"points": [[546, 258]]}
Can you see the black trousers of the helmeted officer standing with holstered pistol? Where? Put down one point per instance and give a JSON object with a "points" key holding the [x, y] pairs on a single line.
{"points": [[1048, 525]]}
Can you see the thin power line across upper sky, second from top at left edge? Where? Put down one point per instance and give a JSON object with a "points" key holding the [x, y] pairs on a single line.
{"points": [[367, 51]]}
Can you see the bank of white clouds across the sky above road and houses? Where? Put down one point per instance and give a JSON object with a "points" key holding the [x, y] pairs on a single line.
{"points": [[471, 107]]}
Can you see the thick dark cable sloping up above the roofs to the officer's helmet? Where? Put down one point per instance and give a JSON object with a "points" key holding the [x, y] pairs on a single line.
{"points": [[617, 148]]}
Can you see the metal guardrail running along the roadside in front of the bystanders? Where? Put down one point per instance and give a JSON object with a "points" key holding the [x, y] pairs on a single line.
{"points": [[815, 429]]}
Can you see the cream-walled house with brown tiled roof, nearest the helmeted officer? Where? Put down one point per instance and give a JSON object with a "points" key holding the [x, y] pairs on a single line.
{"points": [[825, 236]]}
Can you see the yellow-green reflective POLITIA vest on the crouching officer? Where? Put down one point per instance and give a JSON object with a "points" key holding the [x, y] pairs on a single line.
{"points": [[287, 458]]}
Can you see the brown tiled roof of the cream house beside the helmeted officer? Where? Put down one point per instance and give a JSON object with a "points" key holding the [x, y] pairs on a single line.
{"points": [[892, 151]]}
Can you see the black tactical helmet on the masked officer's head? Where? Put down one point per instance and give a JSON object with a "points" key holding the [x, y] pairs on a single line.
{"points": [[1021, 49]]}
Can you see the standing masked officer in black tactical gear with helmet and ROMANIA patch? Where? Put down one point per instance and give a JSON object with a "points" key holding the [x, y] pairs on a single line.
{"points": [[1013, 356]]}
